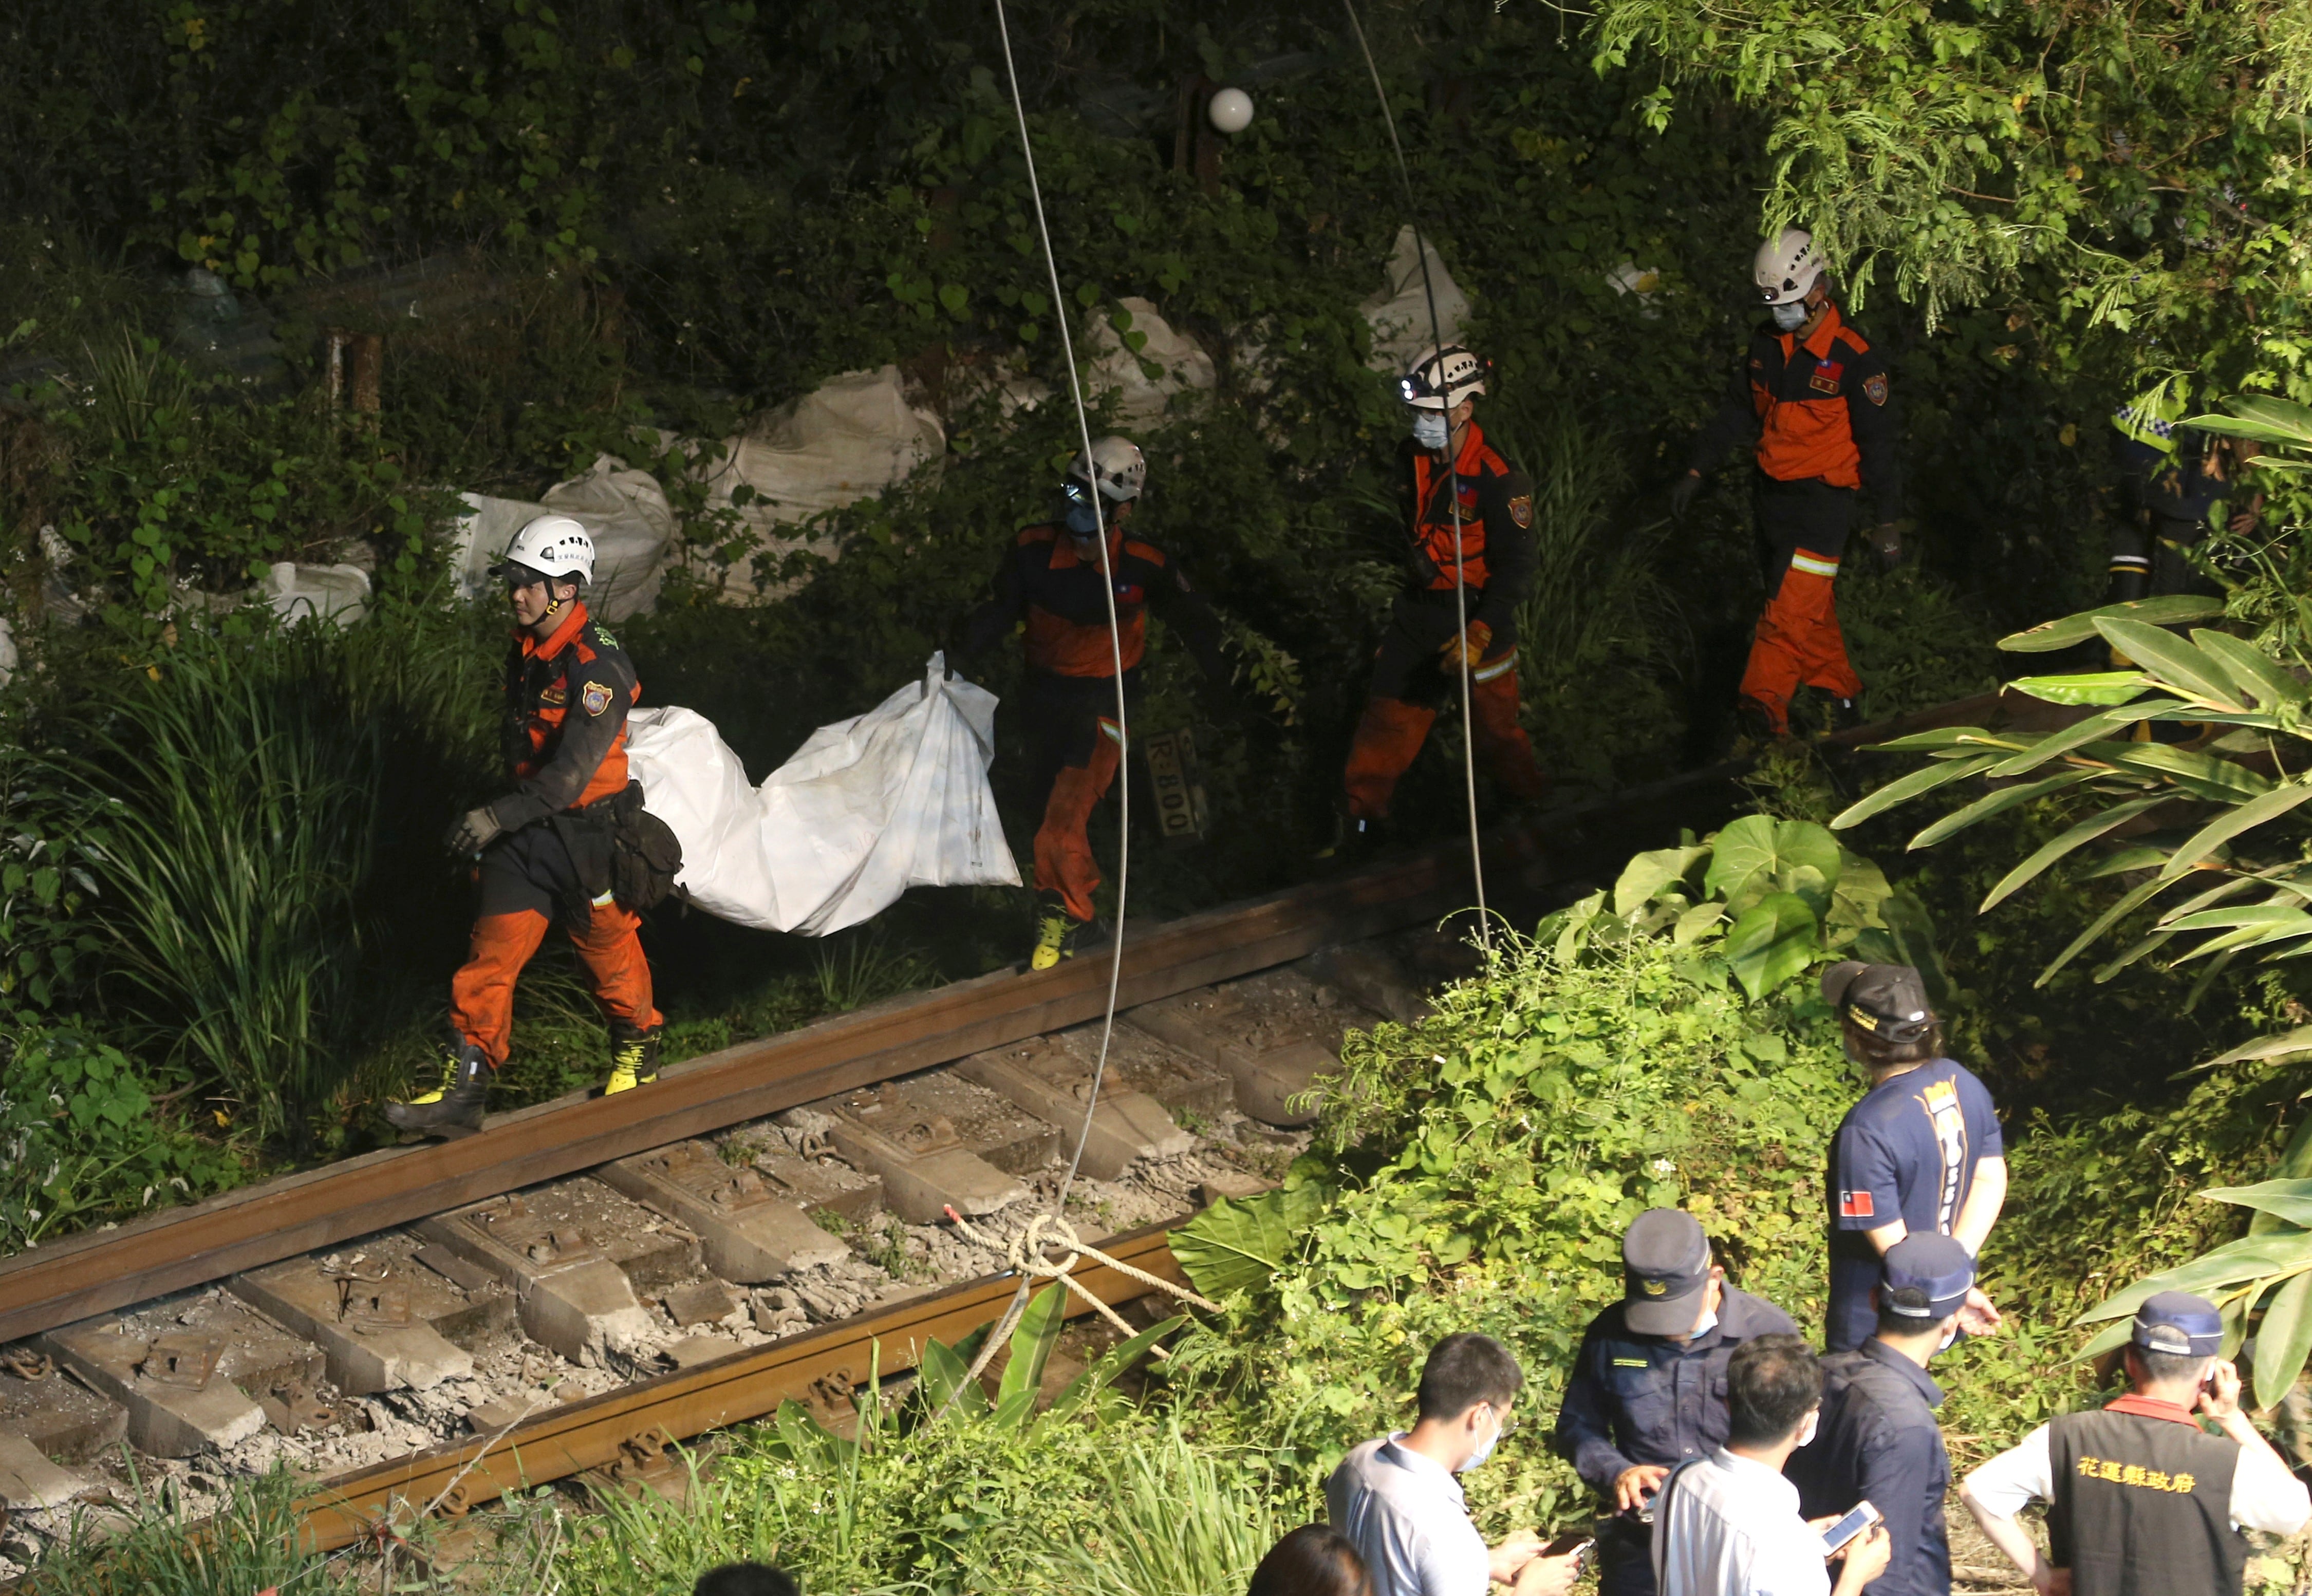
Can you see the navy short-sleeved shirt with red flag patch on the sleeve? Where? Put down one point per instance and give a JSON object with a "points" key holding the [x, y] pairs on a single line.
{"points": [[1909, 1153]]}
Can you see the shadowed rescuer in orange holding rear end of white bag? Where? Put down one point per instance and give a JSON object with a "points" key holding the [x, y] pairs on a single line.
{"points": [[1051, 582]]}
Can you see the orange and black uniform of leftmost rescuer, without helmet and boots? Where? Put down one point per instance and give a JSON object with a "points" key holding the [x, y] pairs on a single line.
{"points": [[565, 730]]}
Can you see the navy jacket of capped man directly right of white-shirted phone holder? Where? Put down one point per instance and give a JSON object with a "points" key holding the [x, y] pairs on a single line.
{"points": [[1881, 1444]]}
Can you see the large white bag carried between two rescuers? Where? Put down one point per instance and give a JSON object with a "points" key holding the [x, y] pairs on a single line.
{"points": [[866, 808]]}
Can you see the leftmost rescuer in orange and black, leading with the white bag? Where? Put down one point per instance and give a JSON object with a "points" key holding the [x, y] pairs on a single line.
{"points": [[547, 845]]}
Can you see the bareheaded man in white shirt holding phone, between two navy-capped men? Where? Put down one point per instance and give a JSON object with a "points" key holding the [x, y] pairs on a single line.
{"points": [[1728, 1525]]}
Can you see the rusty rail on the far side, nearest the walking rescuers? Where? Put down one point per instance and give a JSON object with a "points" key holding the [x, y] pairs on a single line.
{"points": [[179, 1248]]}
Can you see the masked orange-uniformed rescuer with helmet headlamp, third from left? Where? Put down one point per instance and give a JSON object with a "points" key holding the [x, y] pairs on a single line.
{"points": [[1488, 540]]}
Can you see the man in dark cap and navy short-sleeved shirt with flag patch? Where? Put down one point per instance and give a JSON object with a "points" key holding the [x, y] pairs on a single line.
{"points": [[1922, 1151]]}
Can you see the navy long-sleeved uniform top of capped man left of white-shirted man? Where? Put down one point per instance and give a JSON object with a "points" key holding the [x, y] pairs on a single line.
{"points": [[1645, 1401]]}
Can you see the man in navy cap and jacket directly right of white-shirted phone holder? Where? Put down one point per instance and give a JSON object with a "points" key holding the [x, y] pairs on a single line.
{"points": [[1878, 1438]]}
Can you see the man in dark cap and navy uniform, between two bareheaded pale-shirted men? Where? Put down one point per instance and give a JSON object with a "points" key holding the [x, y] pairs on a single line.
{"points": [[1640, 1398]]}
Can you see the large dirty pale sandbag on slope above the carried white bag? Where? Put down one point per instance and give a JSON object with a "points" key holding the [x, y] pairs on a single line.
{"points": [[840, 443]]}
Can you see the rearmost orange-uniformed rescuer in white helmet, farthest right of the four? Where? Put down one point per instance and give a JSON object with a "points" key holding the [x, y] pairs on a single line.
{"points": [[1814, 394]]}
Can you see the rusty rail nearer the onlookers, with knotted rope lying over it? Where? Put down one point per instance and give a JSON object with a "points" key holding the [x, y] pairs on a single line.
{"points": [[637, 1421]]}
